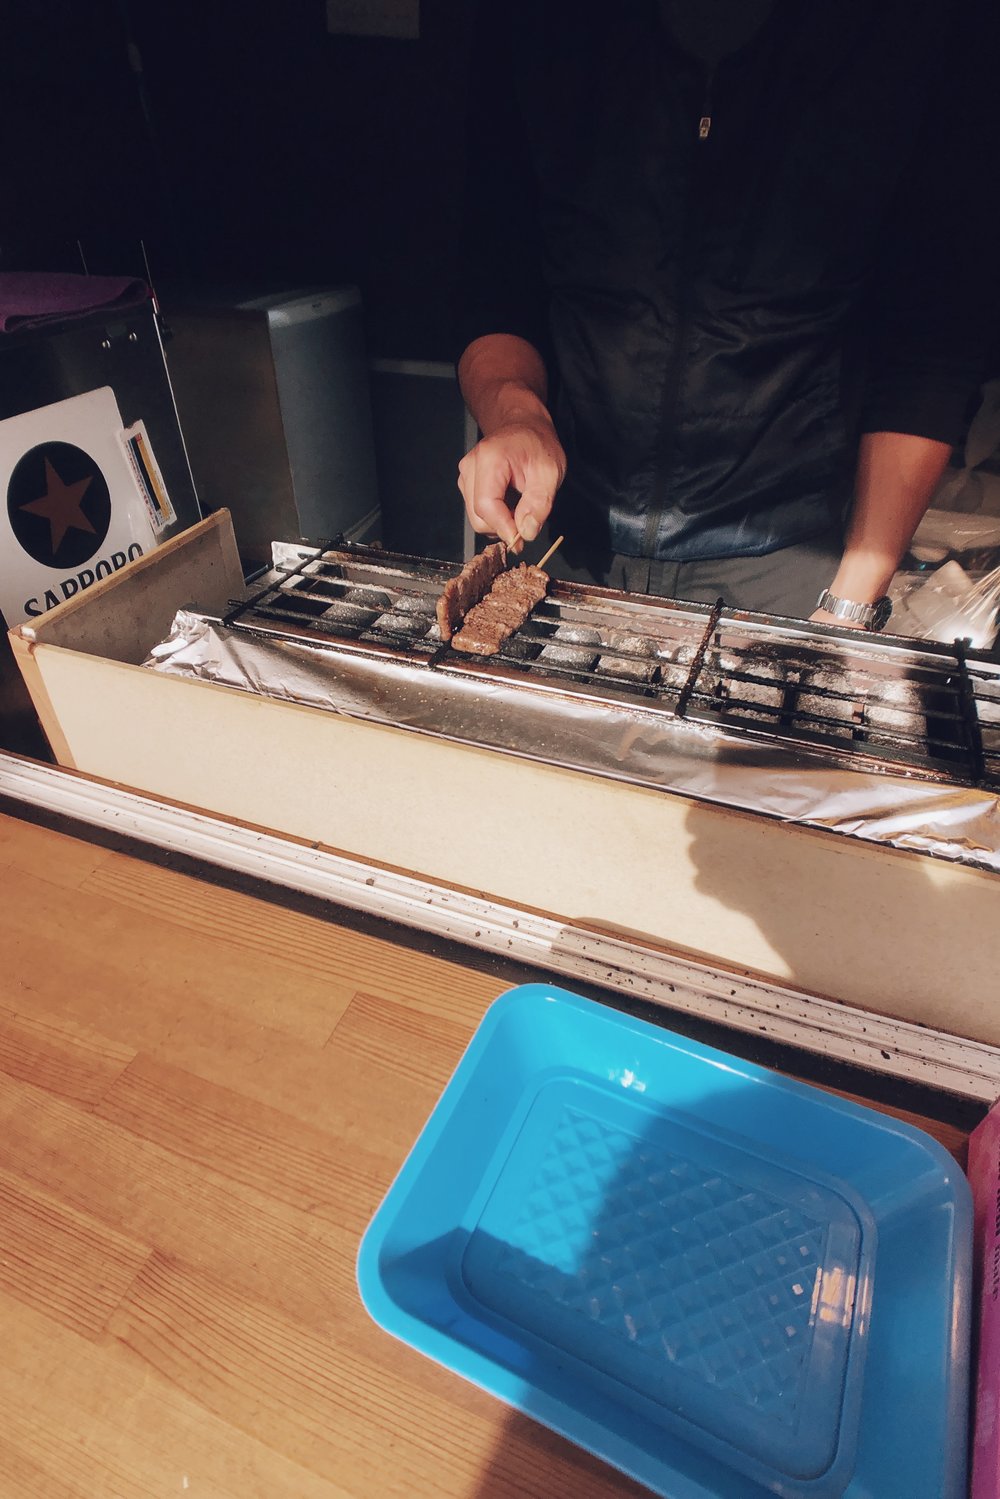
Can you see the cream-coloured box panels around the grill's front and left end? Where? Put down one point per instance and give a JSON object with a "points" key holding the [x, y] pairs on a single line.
{"points": [[887, 930]]}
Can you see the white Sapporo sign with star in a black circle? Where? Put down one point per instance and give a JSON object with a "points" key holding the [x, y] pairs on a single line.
{"points": [[73, 510]]}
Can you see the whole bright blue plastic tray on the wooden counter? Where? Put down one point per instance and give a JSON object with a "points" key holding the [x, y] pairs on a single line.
{"points": [[723, 1282]]}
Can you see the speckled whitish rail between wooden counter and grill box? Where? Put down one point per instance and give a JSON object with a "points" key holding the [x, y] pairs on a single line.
{"points": [[842, 1032]]}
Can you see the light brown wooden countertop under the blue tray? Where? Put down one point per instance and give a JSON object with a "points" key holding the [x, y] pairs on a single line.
{"points": [[203, 1101]]}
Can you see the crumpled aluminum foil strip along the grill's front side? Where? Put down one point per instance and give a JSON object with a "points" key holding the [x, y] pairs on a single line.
{"points": [[611, 740]]}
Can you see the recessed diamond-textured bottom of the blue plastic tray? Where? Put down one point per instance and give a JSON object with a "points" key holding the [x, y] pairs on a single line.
{"points": [[713, 1281]]}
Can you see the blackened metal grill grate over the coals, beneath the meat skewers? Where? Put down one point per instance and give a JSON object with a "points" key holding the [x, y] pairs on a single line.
{"points": [[887, 704]]}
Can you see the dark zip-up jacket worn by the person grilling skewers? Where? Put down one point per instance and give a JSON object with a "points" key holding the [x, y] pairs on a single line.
{"points": [[725, 311]]}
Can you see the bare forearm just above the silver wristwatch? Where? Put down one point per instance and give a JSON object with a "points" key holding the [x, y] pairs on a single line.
{"points": [[897, 474]]}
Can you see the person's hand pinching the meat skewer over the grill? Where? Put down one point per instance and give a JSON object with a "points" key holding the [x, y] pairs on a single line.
{"points": [[524, 456]]}
